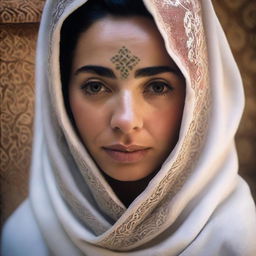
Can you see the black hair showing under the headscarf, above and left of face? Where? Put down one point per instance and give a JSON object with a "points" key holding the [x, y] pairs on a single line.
{"points": [[80, 20]]}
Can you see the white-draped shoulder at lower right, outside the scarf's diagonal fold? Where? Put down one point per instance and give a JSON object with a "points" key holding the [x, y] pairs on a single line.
{"points": [[231, 229]]}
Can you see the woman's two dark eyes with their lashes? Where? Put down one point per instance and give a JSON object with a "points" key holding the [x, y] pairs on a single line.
{"points": [[87, 88]]}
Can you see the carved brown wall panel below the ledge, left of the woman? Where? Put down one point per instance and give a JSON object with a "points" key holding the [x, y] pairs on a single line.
{"points": [[17, 49]]}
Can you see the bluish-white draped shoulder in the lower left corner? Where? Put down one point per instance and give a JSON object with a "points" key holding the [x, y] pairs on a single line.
{"points": [[21, 235]]}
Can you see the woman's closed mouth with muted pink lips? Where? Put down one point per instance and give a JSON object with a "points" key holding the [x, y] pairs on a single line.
{"points": [[126, 154]]}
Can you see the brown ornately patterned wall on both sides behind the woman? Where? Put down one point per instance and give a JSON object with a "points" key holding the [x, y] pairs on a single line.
{"points": [[19, 22]]}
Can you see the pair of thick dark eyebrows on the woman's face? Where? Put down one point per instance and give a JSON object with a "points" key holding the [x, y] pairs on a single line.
{"points": [[143, 72]]}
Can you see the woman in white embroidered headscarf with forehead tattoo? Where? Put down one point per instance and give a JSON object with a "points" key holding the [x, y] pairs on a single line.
{"points": [[137, 107]]}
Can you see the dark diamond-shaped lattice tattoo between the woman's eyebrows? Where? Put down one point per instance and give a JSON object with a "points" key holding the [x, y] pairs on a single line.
{"points": [[125, 61]]}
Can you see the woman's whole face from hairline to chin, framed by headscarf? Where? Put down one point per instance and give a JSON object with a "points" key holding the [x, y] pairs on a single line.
{"points": [[126, 95]]}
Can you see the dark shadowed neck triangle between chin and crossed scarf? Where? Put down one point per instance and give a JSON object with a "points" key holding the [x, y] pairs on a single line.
{"points": [[127, 191]]}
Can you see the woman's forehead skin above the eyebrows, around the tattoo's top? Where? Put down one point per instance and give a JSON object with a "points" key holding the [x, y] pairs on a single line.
{"points": [[104, 39]]}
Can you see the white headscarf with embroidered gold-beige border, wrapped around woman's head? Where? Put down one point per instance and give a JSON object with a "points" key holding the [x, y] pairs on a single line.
{"points": [[196, 204]]}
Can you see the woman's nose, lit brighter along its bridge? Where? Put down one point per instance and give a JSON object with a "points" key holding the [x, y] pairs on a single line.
{"points": [[126, 116]]}
